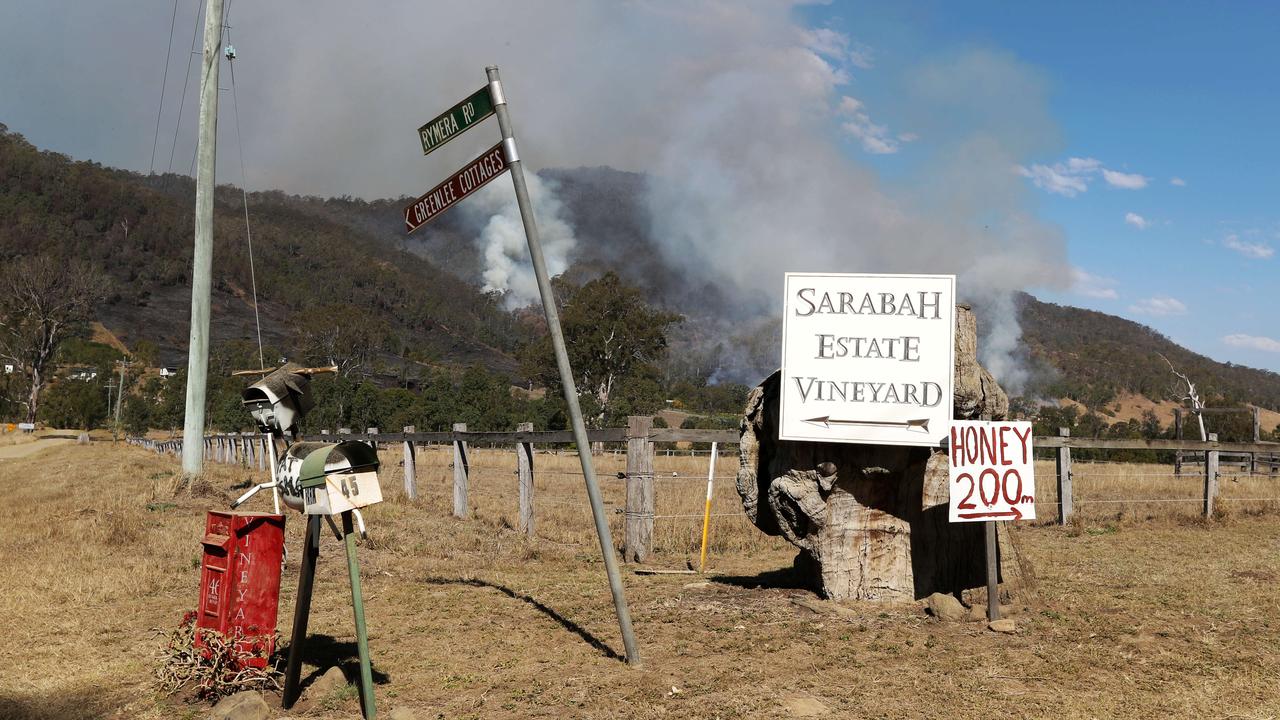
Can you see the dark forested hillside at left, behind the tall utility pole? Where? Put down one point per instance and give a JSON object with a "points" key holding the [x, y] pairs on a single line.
{"points": [[312, 271]]}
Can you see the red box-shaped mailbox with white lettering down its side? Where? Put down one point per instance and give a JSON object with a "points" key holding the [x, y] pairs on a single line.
{"points": [[240, 581]]}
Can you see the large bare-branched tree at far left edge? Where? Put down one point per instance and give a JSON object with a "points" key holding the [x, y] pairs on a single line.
{"points": [[42, 300]]}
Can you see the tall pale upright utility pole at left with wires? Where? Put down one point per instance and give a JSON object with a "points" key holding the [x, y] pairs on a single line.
{"points": [[202, 274]]}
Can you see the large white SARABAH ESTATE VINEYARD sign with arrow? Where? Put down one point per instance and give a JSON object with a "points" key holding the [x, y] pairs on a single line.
{"points": [[868, 358]]}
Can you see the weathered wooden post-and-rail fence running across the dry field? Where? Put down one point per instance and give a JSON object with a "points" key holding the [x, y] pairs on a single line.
{"points": [[641, 439]]}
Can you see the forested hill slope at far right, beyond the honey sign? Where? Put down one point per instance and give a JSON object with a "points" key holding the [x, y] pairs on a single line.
{"points": [[1092, 358]]}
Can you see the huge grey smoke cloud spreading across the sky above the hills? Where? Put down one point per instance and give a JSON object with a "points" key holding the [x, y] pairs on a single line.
{"points": [[752, 127]]}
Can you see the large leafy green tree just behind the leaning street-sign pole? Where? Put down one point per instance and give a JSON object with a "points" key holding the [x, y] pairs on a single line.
{"points": [[614, 339]]}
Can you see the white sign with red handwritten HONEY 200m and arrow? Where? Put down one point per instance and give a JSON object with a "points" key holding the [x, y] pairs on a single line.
{"points": [[993, 472]]}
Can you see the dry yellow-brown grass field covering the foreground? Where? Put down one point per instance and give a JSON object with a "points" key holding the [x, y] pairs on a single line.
{"points": [[1144, 610]]}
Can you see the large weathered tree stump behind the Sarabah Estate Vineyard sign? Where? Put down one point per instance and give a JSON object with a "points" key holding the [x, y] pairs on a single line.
{"points": [[871, 522]]}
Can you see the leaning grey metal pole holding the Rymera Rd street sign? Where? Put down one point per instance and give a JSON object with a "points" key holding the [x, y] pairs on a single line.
{"points": [[566, 373]]}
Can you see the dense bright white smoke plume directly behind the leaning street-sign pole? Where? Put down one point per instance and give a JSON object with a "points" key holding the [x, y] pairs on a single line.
{"points": [[508, 268]]}
